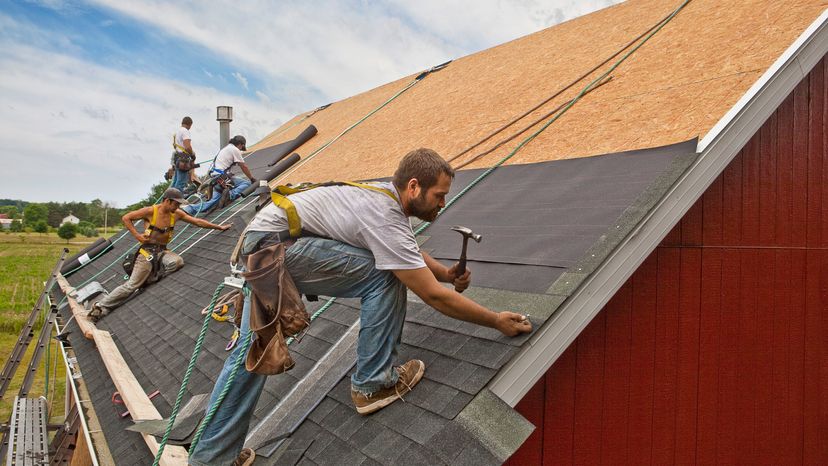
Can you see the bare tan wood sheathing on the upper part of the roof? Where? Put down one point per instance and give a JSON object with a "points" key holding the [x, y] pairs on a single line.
{"points": [[676, 87]]}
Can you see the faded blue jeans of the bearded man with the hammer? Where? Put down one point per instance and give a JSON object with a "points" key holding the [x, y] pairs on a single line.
{"points": [[322, 267]]}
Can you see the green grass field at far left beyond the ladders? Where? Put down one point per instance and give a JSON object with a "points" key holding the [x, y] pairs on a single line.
{"points": [[26, 259]]}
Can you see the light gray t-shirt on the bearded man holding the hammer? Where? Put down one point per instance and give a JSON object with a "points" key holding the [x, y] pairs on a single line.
{"points": [[360, 217]]}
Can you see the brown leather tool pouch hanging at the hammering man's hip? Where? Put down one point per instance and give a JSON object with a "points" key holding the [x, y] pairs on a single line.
{"points": [[276, 311]]}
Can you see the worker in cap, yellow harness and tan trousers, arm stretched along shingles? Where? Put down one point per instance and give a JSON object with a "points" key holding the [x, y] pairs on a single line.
{"points": [[153, 261]]}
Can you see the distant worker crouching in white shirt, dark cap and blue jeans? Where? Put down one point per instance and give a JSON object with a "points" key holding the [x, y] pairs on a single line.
{"points": [[223, 177]]}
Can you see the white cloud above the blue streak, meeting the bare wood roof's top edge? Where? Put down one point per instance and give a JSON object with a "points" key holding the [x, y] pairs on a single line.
{"points": [[346, 47]]}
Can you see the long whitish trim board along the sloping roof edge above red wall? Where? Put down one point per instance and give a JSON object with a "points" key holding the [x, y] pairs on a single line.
{"points": [[717, 149]]}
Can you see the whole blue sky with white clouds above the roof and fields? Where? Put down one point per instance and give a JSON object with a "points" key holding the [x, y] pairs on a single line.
{"points": [[91, 91]]}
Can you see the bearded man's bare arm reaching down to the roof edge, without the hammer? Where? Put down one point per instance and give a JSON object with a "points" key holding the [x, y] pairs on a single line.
{"points": [[424, 284]]}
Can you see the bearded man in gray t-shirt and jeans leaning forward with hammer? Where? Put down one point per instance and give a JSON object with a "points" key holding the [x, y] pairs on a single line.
{"points": [[356, 242]]}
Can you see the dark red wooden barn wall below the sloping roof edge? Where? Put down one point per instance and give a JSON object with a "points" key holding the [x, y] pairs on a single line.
{"points": [[716, 349]]}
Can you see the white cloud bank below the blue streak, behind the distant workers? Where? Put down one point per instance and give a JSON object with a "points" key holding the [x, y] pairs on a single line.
{"points": [[86, 131]]}
